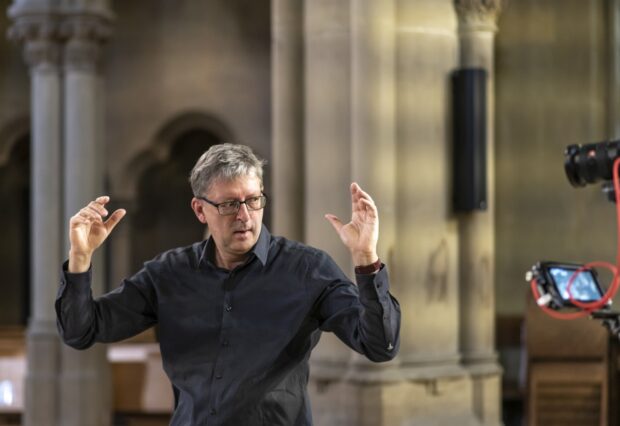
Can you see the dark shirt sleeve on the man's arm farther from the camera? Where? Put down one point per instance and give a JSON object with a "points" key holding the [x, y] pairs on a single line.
{"points": [[120, 314]]}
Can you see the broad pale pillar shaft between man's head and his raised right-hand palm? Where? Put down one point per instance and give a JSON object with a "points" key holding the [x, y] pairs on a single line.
{"points": [[327, 135]]}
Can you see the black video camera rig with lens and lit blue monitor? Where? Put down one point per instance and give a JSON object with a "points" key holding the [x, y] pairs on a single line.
{"points": [[560, 286]]}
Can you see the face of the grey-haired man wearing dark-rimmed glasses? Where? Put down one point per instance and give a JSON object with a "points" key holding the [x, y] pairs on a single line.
{"points": [[234, 235]]}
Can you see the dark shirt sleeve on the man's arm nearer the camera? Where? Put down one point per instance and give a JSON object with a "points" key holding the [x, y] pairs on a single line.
{"points": [[364, 316]]}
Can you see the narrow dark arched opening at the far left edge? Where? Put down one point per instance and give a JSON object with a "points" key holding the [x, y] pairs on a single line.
{"points": [[15, 241]]}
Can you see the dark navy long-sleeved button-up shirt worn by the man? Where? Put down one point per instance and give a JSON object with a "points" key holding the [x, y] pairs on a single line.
{"points": [[235, 344]]}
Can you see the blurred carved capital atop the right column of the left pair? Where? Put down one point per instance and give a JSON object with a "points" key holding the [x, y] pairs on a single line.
{"points": [[84, 35]]}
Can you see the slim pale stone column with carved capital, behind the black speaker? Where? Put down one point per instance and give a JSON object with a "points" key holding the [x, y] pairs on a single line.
{"points": [[477, 27]]}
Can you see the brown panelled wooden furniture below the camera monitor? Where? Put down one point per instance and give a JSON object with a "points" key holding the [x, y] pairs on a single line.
{"points": [[571, 371]]}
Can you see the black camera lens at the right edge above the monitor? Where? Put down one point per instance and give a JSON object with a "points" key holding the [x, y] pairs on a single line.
{"points": [[590, 163]]}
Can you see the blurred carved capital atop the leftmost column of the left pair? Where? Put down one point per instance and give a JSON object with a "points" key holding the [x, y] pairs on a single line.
{"points": [[41, 38]]}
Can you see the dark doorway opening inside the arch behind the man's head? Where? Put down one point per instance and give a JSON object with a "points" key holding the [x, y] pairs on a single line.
{"points": [[163, 218]]}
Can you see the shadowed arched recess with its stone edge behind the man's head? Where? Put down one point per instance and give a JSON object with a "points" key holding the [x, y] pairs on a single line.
{"points": [[158, 190]]}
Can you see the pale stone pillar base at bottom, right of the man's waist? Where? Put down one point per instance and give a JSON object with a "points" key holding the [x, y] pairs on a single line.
{"points": [[437, 402]]}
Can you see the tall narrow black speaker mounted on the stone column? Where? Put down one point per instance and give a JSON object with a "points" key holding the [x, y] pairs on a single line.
{"points": [[469, 100]]}
